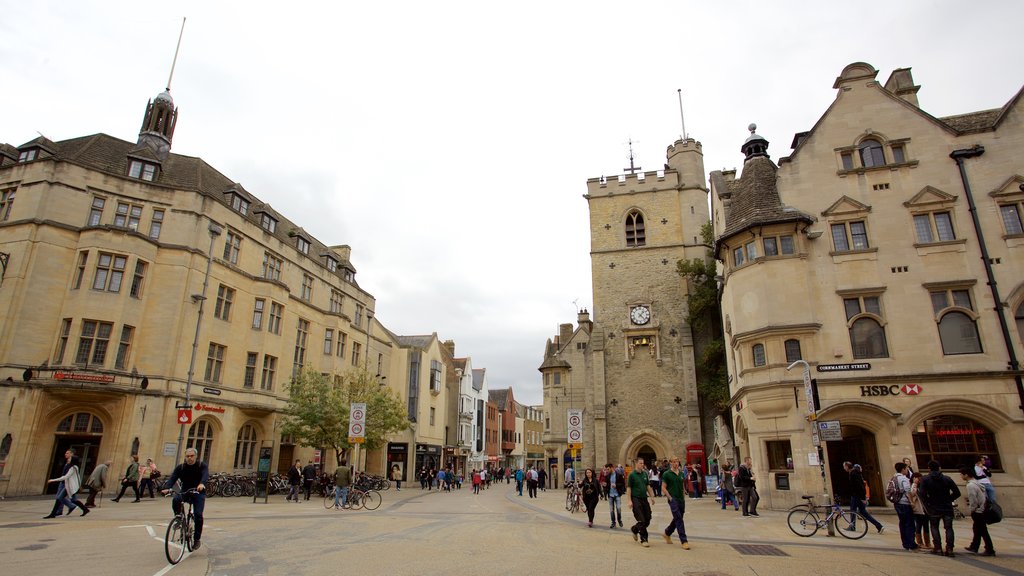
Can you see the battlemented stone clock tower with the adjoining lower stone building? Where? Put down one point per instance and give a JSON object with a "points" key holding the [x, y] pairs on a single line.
{"points": [[631, 371]]}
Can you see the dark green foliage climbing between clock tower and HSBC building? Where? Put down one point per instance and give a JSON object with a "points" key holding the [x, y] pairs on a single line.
{"points": [[706, 316]]}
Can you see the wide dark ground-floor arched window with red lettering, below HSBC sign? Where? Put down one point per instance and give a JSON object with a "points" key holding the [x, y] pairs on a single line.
{"points": [[954, 441]]}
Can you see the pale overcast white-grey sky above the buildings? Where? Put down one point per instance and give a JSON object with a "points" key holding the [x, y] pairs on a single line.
{"points": [[449, 144]]}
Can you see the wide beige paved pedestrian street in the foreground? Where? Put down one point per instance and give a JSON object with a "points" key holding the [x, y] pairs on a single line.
{"points": [[417, 532]]}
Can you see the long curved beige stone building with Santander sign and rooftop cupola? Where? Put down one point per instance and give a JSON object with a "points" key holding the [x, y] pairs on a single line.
{"points": [[107, 246]]}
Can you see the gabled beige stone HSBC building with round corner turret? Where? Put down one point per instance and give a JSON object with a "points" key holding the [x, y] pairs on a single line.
{"points": [[860, 255]]}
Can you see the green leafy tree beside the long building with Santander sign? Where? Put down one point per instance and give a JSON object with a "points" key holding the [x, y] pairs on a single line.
{"points": [[319, 407]]}
